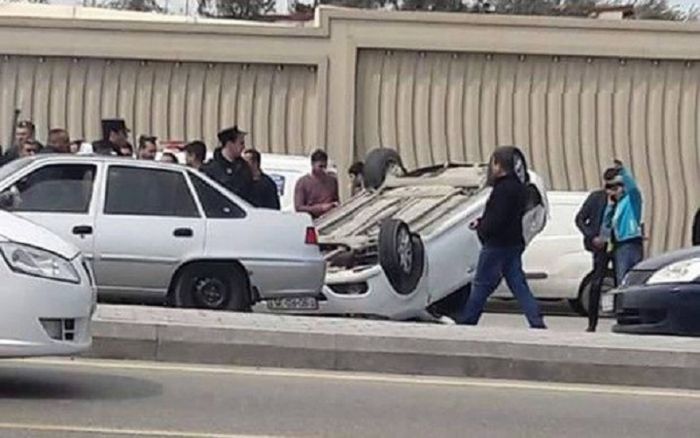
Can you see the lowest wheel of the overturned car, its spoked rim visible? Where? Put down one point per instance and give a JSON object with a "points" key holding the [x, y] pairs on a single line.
{"points": [[401, 255]]}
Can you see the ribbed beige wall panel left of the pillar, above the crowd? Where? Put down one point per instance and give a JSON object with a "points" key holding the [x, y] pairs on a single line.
{"points": [[171, 100]]}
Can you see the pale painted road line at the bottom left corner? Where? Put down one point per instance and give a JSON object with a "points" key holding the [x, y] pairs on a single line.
{"points": [[127, 432]]}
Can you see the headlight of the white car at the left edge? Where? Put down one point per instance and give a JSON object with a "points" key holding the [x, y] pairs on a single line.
{"points": [[33, 261]]}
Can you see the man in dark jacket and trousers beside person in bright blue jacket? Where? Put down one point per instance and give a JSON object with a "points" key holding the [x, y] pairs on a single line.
{"points": [[589, 221]]}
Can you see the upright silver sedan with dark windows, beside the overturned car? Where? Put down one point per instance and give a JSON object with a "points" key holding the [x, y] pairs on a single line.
{"points": [[162, 232]]}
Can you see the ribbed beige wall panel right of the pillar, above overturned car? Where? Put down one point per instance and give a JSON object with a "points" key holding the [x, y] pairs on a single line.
{"points": [[571, 115]]}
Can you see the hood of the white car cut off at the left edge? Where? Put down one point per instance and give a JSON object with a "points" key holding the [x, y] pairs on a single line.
{"points": [[16, 229]]}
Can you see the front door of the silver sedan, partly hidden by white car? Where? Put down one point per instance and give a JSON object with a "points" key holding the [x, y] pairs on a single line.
{"points": [[60, 197]]}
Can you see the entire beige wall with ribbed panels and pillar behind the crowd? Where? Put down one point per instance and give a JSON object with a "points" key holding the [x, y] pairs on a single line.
{"points": [[574, 93]]}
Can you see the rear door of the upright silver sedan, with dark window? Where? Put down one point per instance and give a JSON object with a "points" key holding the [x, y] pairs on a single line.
{"points": [[148, 224]]}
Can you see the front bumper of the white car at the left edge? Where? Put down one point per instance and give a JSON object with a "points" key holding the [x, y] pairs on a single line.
{"points": [[44, 317]]}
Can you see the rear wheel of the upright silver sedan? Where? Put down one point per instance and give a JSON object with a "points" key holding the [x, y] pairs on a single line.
{"points": [[212, 286]]}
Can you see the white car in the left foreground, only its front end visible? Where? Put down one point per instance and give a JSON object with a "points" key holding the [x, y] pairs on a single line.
{"points": [[48, 297]]}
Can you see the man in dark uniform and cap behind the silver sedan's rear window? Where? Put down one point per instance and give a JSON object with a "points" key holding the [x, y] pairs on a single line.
{"points": [[228, 167]]}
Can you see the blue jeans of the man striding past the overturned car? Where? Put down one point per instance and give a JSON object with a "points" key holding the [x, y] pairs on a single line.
{"points": [[494, 264]]}
